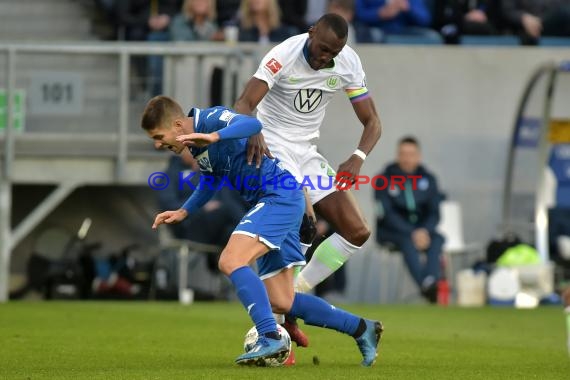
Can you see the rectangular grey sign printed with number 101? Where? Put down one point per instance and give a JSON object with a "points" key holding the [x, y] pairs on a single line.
{"points": [[56, 93]]}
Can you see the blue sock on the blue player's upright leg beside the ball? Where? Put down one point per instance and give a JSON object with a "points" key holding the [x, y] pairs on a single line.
{"points": [[253, 296]]}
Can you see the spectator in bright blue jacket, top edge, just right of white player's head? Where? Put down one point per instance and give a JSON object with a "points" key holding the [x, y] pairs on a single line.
{"points": [[398, 17]]}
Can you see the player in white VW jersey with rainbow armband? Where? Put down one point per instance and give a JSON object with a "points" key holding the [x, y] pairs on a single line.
{"points": [[291, 89]]}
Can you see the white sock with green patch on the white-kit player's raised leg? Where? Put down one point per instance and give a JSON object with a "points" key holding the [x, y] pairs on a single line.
{"points": [[330, 255]]}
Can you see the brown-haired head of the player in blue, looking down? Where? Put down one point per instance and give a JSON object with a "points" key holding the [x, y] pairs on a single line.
{"points": [[162, 121]]}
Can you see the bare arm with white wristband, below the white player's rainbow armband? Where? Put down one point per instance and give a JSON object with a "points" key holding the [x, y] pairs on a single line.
{"points": [[366, 112]]}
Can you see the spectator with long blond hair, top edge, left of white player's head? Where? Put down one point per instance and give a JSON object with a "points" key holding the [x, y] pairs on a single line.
{"points": [[260, 22]]}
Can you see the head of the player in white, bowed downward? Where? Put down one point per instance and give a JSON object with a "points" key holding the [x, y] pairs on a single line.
{"points": [[326, 39]]}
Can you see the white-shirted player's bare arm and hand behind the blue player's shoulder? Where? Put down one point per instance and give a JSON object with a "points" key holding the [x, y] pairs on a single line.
{"points": [[254, 91]]}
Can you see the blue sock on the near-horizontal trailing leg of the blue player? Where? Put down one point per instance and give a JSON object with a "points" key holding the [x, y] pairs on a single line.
{"points": [[317, 312]]}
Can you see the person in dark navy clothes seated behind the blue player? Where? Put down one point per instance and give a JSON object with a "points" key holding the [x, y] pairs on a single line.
{"points": [[213, 223]]}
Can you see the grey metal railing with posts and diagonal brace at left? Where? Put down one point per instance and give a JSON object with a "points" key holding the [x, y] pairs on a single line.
{"points": [[234, 58]]}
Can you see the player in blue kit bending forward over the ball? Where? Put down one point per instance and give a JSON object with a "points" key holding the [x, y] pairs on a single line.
{"points": [[269, 232]]}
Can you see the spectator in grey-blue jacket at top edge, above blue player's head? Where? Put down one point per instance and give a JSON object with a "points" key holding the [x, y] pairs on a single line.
{"points": [[196, 22]]}
